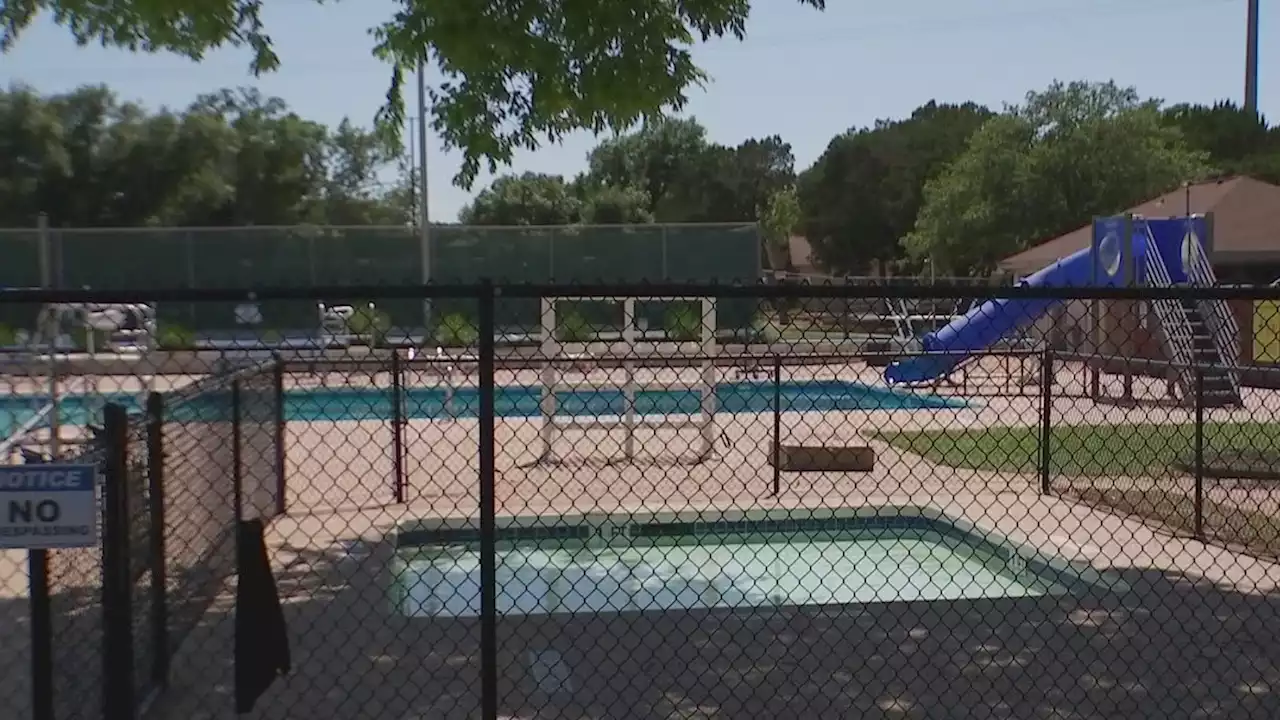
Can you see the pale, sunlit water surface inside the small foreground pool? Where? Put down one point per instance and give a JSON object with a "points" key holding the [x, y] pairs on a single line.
{"points": [[761, 571]]}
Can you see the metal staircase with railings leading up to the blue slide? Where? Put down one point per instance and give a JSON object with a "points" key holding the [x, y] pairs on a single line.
{"points": [[1197, 336]]}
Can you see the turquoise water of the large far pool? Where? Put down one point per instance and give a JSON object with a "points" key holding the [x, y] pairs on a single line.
{"points": [[510, 402]]}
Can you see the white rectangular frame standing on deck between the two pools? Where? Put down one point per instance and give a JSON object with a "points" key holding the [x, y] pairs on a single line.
{"points": [[632, 352]]}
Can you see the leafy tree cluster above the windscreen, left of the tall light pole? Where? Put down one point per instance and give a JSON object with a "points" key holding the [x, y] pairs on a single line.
{"points": [[235, 157]]}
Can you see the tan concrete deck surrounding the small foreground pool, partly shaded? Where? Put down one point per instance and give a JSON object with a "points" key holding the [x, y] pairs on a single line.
{"points": [[1195, 636]]}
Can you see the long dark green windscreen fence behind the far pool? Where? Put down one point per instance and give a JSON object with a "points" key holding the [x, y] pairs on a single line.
{"points": [[336, 257]]}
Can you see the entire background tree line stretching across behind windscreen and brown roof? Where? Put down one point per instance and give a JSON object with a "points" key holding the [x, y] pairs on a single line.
{"points": [[958, 186]]}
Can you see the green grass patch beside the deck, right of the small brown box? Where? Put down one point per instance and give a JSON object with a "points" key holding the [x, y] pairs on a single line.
{"points": [[1084, 450]]}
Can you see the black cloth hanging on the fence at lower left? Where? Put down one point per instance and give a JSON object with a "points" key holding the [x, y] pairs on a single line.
{"points": [[262, 639]]}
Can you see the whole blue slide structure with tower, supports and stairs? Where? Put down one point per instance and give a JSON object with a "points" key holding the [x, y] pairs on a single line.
{"points": [[1199, 340]]}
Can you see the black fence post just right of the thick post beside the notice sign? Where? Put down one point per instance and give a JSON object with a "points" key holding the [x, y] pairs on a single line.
{"points": [[159, 568]]}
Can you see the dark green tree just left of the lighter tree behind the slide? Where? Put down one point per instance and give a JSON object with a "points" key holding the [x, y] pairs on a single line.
{"points": [[861, 198]]}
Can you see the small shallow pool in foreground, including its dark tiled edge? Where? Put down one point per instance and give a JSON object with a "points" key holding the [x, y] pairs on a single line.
{"points": [[582, 566]]}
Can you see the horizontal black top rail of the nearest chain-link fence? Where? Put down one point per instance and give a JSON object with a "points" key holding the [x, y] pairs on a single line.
{"points": [[588, 291]]}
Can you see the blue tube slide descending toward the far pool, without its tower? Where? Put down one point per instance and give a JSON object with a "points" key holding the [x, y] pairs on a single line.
{"points": [[984, 326]]}
